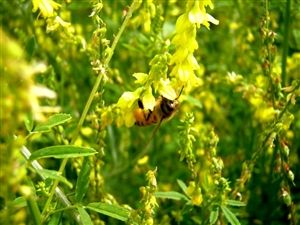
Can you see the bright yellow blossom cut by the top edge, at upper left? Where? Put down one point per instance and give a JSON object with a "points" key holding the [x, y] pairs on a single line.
{"points": [[46, 7]]}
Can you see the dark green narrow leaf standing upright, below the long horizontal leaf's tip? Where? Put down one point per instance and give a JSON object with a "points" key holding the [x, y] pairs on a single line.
{"points": [[83, 180]]}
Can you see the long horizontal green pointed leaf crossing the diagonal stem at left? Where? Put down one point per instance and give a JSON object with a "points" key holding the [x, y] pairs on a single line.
{"points": [[62, 151]]}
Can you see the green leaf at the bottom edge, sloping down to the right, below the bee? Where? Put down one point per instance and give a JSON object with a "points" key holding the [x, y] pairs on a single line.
{"points": [[113, 211]]}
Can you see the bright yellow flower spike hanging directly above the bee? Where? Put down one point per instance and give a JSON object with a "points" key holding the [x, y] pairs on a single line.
{"points": [[185, 41]]}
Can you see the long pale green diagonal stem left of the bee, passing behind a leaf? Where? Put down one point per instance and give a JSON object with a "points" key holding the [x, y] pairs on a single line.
{"points": [[90, 100]]}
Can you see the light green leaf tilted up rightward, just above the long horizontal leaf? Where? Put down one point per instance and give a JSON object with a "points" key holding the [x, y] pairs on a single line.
{"points": [[52, 121]]}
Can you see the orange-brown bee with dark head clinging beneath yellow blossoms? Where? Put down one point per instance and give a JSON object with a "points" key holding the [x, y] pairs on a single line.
{"points": [[164, 108]]}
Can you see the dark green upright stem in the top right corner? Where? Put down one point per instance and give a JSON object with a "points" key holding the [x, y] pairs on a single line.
{"points": [[285, 41]]}
